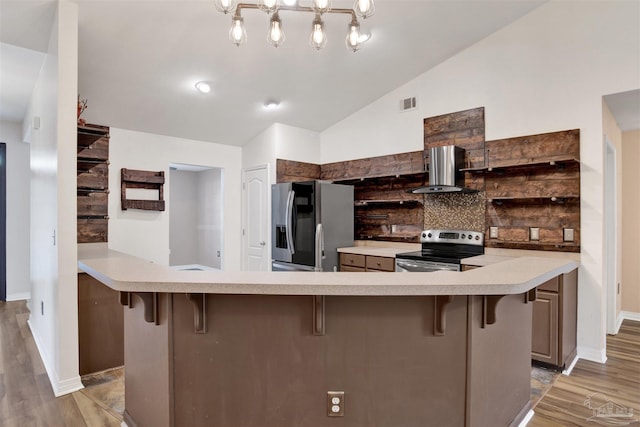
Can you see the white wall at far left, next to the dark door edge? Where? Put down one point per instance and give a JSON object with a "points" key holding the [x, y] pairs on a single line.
{"points": [[18, 190]]}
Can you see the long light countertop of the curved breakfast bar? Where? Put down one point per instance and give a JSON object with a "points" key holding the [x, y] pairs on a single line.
{"points": [[122, 272]]}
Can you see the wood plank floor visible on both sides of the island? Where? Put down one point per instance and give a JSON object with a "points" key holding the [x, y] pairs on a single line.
{"points": [[26, 397]]}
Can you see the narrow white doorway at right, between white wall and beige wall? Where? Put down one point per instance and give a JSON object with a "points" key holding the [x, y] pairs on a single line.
{"points": [[610, 234]]}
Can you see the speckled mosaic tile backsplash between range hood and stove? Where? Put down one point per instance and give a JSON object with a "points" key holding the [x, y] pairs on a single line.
{"points": [[455, 211]]}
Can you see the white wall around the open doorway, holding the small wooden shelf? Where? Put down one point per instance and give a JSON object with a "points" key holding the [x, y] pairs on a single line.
{"points": [[146, 233]]}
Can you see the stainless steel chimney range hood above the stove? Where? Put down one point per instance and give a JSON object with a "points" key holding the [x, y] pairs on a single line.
{"points": [[444, 172]]}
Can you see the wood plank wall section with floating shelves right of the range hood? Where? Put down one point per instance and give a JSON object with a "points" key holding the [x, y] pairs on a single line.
{"points": [[533, 181]]}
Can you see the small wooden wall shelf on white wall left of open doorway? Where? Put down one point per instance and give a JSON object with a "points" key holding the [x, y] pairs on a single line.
{"points": [[148, 180]]}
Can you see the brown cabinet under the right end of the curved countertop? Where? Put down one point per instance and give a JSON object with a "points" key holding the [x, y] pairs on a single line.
{"points": [[553, 340]]}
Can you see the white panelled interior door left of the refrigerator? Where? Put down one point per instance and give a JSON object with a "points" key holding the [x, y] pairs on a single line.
{"points": [[256, 220]]}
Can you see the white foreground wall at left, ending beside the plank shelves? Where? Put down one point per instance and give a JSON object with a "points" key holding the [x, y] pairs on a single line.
{"points": [[53, 267]]}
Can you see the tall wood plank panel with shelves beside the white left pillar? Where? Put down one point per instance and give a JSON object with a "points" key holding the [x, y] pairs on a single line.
{"points": [[92, 183]]}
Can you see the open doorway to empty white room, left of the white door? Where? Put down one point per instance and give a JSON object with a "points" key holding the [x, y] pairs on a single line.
{"points": [[195, 217]]}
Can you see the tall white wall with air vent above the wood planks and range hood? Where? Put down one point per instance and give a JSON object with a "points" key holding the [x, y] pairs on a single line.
{"points": [[546, 72]]}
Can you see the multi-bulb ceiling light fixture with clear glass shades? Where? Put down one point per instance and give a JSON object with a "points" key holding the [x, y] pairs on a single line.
{"points": [[318, 38]]}
